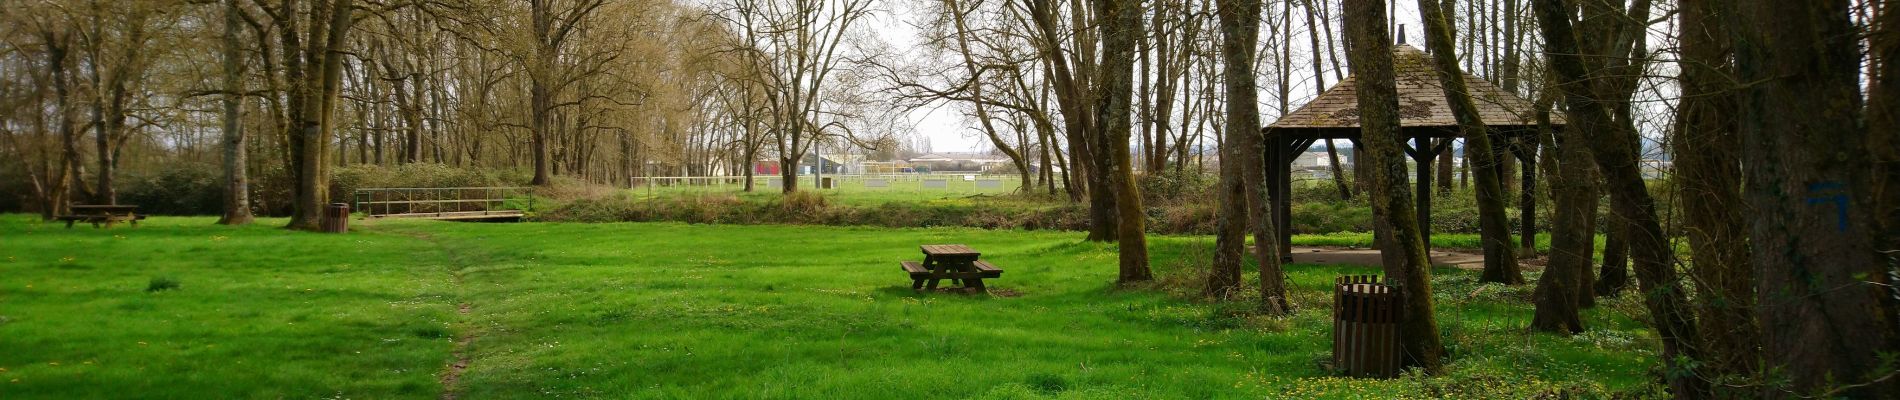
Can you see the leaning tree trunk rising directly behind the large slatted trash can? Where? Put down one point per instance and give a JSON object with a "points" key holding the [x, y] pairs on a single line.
{"points": [[1407, 263]]}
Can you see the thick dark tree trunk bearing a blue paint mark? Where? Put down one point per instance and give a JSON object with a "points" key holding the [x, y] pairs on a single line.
{"points": [[1812, 236]]}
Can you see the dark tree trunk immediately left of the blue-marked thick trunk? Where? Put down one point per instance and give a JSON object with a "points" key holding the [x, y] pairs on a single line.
{"points": [[1709, 181]]}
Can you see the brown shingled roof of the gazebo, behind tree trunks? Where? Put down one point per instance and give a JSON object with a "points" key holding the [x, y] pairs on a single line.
{"points": [[1422, 101]]}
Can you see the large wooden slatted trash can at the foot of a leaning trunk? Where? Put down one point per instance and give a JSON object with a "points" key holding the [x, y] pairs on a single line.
{"points": [[1365, 327]]}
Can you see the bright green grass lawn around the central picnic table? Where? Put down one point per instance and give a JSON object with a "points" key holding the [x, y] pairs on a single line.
{"points": [[708, 312]]}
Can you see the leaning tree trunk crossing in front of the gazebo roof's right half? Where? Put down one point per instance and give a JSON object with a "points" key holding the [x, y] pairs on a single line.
{"points": [[1500, 259]]}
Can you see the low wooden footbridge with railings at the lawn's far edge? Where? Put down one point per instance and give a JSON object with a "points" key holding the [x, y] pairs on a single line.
{"points": [[446, 204]]}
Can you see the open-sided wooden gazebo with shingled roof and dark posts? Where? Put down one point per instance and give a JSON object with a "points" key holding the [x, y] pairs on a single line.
{"points": [[1422, 117]]}
